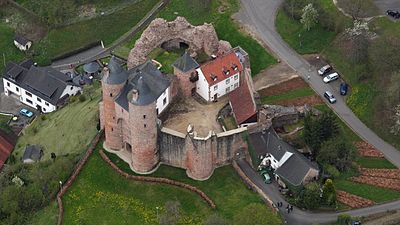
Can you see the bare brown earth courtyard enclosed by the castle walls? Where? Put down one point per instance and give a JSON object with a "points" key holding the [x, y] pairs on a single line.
{"points": [[200, 115]]}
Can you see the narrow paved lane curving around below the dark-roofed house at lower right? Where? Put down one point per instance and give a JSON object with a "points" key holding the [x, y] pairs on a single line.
{"points": [[301, 217]]}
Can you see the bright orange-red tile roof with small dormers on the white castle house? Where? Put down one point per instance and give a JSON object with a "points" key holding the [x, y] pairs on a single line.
{"points": [[214, 69]]}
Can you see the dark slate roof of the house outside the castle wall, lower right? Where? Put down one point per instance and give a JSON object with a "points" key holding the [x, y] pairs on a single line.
{"points": [[295, 168]]}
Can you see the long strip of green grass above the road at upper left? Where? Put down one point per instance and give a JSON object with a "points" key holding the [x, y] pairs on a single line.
{"points": [[107, 28]]}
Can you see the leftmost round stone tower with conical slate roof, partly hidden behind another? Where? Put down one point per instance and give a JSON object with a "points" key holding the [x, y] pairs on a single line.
{"points": [[114, 79]]}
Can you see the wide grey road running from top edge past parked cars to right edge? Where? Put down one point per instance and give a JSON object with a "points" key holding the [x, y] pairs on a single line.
{"points": [[260, 14]]}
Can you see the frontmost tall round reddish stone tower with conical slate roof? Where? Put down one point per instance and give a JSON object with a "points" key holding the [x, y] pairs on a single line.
{"points": [[143, 126]]}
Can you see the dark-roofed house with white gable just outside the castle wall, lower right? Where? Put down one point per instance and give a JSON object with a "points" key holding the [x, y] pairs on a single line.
{"points": [[289, 165]]}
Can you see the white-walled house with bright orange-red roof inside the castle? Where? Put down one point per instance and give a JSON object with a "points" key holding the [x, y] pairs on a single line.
{"points": [[219, 76]]}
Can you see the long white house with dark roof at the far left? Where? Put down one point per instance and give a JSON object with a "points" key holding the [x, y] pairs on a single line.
{"points": [[42, 88]]}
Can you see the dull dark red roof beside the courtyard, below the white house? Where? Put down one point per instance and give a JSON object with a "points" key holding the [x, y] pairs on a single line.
{"points": [[242, 102]]}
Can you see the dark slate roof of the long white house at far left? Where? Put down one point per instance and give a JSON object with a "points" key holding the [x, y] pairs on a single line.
{"points": [[44, 82]]}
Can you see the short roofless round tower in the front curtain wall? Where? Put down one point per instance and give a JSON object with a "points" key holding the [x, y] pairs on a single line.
{"points": [[199, 156]]}
